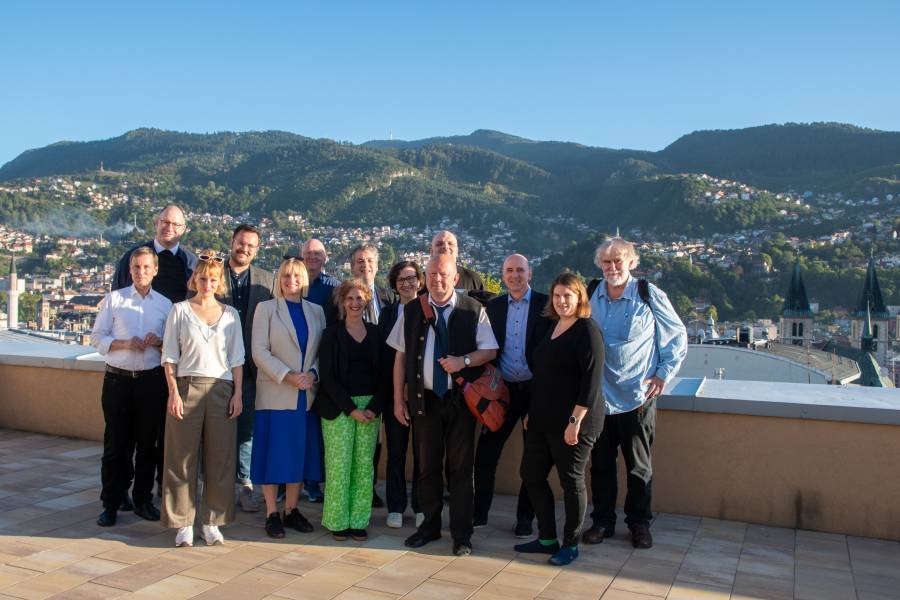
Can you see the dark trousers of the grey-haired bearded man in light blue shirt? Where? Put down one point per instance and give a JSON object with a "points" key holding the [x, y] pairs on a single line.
{"points": [[632, 432]]}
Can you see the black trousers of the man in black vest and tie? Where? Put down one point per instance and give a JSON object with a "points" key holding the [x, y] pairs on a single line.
{"points": [[447, 427]]}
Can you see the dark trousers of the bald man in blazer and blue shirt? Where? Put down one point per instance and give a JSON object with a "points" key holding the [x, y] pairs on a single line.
{"points": [[487, 456]]}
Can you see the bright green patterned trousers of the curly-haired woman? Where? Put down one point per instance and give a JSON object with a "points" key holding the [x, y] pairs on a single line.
{"points": [[349, 451]]}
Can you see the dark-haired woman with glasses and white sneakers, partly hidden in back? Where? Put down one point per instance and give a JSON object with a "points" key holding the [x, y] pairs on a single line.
{"points": [[407, 279]]}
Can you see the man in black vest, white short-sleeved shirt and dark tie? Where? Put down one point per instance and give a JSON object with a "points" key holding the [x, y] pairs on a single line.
{"points": [[431, 352]]}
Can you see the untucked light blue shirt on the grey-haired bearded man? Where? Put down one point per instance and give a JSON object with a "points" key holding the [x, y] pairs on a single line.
{"points": [[639, 343]]}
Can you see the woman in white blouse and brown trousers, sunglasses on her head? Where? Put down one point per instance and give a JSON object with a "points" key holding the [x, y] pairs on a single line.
{"points": [[203, 354]]}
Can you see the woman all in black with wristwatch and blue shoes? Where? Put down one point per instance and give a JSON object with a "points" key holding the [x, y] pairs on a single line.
{"points": [[564, 418]]}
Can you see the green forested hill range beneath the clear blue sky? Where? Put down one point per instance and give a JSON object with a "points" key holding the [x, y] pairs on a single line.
{"points": [[487, 176]]}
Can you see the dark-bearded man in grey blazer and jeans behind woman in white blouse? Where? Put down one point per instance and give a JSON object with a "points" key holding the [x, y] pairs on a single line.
{"points": [[246, 286]]}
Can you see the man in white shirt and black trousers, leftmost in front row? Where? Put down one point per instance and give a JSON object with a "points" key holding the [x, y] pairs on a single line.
{"points": [[129, 332]]}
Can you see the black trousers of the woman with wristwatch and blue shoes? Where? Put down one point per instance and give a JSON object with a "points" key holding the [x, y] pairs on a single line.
{"points": [[543, 451]]}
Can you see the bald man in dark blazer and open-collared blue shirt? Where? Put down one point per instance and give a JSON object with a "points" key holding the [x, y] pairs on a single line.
{"points": [[518, 324]]}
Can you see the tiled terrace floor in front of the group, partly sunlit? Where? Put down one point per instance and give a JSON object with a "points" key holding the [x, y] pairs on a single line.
{"points": [[50, 547]]}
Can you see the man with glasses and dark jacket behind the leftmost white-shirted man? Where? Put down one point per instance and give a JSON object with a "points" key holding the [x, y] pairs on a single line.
{"points": [[176, 264]]}
